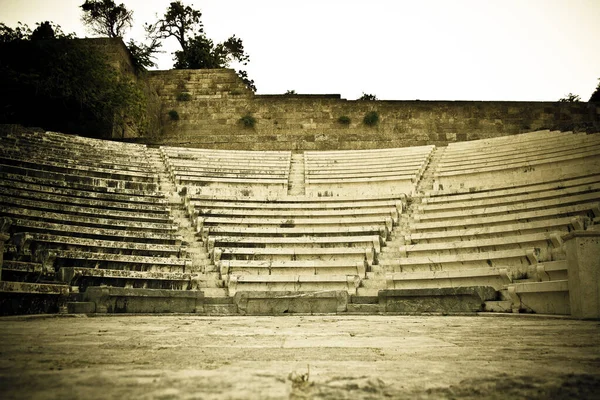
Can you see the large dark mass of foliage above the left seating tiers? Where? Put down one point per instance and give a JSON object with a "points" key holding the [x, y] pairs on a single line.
{"points": [[49, 80]]}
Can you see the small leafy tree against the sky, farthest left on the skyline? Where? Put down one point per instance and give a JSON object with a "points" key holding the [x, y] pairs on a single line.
{"points": [[105, 17]]}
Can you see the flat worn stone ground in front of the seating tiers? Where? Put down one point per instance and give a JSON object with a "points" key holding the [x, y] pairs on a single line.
{"points": [[298, 357]]}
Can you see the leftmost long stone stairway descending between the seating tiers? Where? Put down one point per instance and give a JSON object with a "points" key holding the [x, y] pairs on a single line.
{"points": [[204, 275]]}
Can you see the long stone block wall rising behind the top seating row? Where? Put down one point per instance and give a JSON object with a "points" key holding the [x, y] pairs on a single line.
{"points": [[210, 118]]}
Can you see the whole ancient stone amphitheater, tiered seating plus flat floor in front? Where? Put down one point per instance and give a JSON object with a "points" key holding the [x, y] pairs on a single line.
{"points": [[466, 269]]}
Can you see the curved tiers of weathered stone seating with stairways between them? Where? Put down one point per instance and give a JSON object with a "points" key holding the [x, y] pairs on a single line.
{"points": [[507, 224]]}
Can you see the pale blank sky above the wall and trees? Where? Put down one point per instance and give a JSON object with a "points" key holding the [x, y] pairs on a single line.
{"points": [[528, 50]]}
